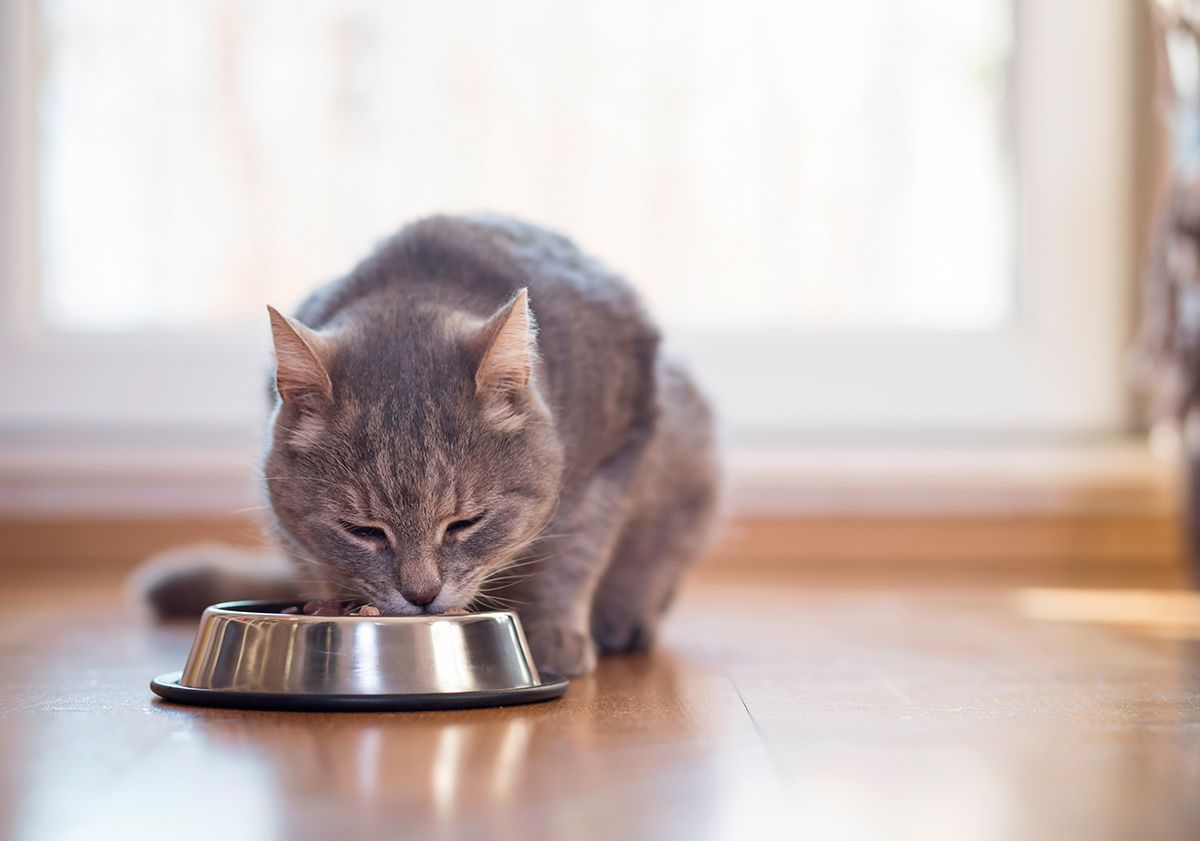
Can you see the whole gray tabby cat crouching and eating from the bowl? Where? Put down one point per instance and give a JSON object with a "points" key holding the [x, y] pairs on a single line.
{"points": [[481, 416]]}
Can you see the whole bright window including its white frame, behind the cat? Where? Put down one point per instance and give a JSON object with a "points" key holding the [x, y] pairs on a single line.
{"points": [[851, 217]]}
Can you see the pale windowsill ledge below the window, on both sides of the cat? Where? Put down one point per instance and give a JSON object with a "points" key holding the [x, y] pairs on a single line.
{"points": [[1112, 477]]}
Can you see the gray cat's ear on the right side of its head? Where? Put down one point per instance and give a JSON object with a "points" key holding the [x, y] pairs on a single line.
{"points": [[508, 349]]}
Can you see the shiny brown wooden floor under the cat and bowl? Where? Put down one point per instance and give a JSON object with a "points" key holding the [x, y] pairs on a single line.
{"points": [[777, 708]]}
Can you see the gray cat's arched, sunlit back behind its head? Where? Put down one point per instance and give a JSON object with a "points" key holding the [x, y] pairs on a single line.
{"points": [[598, 345]]}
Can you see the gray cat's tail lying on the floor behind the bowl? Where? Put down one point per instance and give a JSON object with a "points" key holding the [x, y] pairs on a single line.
{"points": [[182, 582]]}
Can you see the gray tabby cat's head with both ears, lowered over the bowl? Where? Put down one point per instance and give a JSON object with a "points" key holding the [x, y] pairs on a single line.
{"points": [[411, 458]]}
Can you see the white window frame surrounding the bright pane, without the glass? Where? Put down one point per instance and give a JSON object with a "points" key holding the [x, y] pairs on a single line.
{"points": [[1054, 370]]}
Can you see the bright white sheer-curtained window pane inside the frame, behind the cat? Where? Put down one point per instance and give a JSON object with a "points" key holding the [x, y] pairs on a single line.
{"points": [[749, 165]]}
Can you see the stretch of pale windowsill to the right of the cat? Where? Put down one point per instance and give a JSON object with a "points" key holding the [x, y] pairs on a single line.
{"points": [[1121, 476]]}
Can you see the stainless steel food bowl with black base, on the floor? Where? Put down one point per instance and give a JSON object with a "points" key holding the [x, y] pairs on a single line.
{"points": [[249, 654]]}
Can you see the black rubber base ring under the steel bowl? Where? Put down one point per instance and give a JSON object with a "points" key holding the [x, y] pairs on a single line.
{"points": [[167, 687]]}
